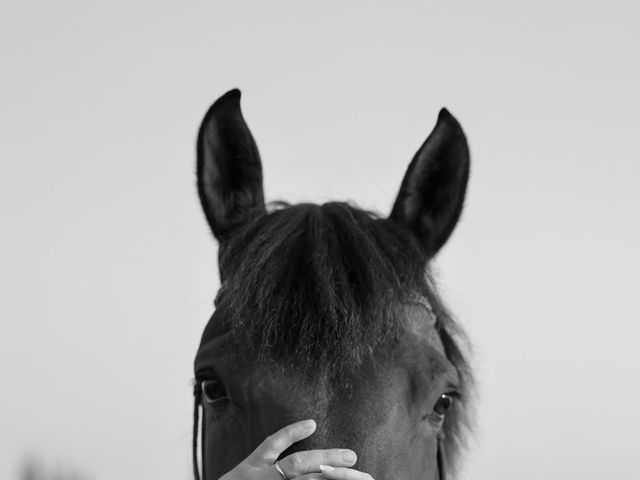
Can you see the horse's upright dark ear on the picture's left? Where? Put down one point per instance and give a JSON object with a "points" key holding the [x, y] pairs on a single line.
{"points": [[229, 169]]}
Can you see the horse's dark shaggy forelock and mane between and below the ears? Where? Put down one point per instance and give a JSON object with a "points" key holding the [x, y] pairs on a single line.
{"points": [[322, 284]]}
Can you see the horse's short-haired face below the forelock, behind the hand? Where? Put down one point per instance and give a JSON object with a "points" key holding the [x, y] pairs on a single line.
{"points": [[390, 409]]}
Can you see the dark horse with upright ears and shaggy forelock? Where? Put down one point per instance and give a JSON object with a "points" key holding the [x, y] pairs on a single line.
{"points": [[331, 312]]}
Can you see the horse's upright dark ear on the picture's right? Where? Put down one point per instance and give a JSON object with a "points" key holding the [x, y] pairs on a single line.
{"points": [[432, 193]]}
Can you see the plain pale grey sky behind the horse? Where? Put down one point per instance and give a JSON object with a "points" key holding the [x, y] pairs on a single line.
{"points": [[108, 271]]}
